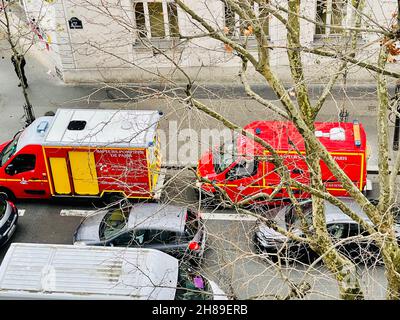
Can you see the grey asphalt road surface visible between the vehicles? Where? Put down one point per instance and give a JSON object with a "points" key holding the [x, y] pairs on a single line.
{"points": [[230, 258]]}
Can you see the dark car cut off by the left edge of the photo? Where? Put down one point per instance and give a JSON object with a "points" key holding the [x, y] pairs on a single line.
{"points": [[8, 219]]}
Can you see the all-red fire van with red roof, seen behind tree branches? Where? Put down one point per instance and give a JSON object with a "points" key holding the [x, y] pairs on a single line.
{"points": [[236, 167]]}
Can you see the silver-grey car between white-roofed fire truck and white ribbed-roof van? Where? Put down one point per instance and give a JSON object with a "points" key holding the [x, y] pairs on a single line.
{"points": [[178, 231]]}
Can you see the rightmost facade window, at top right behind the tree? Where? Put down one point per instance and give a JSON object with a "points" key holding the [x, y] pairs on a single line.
{"points": [[330, 13]]}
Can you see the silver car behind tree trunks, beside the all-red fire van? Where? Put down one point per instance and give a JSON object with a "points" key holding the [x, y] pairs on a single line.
{"points": [[339, 225]]}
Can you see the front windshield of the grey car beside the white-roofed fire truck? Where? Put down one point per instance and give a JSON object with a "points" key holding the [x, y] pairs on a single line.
{"points": [[113, 223]]}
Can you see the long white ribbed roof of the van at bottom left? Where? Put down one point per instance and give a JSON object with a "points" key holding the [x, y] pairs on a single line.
{"points": [[48, 271]]}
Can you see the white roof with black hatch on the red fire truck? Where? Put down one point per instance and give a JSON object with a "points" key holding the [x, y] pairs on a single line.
{"points": [[104, 128]]}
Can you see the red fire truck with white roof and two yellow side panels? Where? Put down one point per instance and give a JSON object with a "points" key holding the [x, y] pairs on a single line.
{"points": [[84, 153]]}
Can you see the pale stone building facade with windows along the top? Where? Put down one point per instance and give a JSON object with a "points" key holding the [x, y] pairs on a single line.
{"points": [[128, 40]]}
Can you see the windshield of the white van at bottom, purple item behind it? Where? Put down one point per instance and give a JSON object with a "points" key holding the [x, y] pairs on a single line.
{"points": [[192, 286]]}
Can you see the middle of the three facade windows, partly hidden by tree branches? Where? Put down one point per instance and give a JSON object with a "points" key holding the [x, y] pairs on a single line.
{"points": [[235, 26]]}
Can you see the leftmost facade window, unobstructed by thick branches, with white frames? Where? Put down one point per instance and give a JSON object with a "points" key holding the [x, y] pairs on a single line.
{"points": [[156, 19]]}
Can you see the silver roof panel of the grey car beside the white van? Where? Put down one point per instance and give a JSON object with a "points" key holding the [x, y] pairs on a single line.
{"points": [[157, 216]]}
